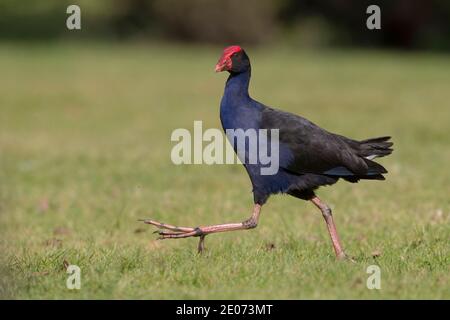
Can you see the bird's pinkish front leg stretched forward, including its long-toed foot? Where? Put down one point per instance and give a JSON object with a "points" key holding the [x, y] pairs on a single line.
{"points": [[175, 232]]}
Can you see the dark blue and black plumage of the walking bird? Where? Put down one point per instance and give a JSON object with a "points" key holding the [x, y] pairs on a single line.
{"points": [[309, 156]]}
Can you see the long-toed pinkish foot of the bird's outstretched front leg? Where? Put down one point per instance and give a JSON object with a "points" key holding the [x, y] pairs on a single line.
{"points": [[167, 231]]}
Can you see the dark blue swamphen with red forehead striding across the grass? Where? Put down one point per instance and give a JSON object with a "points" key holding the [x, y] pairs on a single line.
{"points": [[309, 156]]}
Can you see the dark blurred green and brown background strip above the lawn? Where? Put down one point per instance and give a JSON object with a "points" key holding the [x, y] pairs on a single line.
{"points": [[406, 24]]}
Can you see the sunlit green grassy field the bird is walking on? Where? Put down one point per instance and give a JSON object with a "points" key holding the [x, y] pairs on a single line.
{"points": [[85, 152]]}
